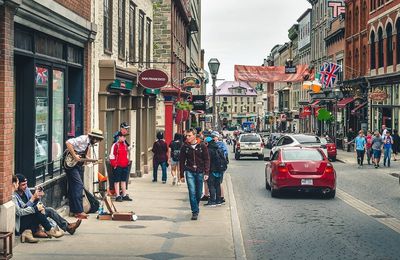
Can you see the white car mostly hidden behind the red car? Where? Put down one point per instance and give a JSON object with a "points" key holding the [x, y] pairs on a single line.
{"points": [[303, 140]]}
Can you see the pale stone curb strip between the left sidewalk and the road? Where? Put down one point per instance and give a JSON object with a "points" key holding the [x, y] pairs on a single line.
{"points": [[238, 244]]}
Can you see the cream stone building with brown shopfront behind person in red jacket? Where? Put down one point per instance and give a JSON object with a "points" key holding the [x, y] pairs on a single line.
{"points": [[124, 48]]}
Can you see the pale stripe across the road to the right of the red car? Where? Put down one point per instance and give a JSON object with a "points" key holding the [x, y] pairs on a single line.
{"points": [[380, 216]]}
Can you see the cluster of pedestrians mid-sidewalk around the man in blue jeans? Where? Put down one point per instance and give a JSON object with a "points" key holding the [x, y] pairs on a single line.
{"points": [[197, 158]]}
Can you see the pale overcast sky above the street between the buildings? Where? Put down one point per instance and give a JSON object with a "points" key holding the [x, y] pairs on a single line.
{"points": [[244, 32]]}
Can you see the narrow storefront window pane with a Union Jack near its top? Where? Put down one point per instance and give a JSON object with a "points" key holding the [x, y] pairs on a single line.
{"points": [[42, 118]]}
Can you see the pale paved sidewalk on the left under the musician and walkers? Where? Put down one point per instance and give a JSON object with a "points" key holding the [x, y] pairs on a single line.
{"points": [[163, 229]]}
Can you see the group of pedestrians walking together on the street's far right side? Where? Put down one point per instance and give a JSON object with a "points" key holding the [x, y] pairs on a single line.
{"points": [[373, 144]]}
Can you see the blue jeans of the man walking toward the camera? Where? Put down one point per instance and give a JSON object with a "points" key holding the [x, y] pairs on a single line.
{"points": [[195, 186]]}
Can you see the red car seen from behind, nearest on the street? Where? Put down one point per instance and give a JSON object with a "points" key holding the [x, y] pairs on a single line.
{"points": [[302, 169]]}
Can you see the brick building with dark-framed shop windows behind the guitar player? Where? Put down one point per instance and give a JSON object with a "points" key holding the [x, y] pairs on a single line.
{"points": [[44, 83]]}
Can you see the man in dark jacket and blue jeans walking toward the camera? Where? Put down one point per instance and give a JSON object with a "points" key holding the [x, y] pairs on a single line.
{"points": [[194, 162]]}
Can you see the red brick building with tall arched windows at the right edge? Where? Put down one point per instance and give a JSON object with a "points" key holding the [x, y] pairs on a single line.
{"points": [[383, 50]]}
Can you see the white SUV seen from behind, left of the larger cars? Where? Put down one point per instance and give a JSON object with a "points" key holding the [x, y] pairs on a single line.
{"points": [[250, 144]]}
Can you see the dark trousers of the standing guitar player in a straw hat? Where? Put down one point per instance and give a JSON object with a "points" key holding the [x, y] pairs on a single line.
{"points": [[75, 189]]}
